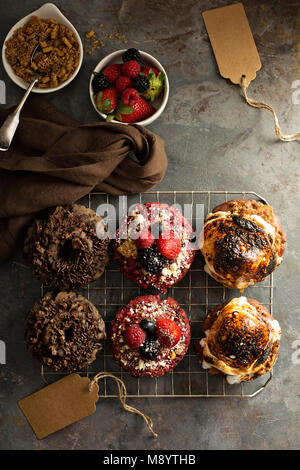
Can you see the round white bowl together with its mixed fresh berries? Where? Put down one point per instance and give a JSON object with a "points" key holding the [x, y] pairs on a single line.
{"points": [[129, 86]]}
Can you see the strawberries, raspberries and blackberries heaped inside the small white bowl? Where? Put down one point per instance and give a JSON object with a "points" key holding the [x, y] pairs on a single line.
{"points": [[125, 92]]}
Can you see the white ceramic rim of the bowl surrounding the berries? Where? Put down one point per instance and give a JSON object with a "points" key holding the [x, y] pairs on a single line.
{"points": [[147, 59]]}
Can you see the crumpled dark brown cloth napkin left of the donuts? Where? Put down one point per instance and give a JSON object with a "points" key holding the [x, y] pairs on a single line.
{"points": [[56, 160]]}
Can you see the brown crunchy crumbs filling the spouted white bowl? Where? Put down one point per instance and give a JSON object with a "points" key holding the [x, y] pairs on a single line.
{"points": [[56, 59]]}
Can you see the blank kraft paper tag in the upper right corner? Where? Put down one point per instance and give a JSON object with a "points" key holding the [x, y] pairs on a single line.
{"points": [[232, 42]]}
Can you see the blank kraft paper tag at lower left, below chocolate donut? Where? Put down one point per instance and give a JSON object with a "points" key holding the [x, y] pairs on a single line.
{"points": [[62, 403]]}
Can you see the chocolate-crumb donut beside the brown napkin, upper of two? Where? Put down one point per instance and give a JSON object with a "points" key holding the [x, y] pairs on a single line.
{"points": [[64, 249]]}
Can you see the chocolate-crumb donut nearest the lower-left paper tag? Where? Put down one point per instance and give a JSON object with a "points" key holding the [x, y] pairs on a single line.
{"points": [[64, 331]]}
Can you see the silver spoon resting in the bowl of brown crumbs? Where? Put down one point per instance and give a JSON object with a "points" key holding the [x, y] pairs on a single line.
{"points": [[9, 127]]}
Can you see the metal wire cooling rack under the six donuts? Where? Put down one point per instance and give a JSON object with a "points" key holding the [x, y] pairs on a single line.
{"points": [[197, 293]]}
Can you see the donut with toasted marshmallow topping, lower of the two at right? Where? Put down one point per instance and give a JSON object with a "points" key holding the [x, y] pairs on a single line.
{"points": [[241, 340]]}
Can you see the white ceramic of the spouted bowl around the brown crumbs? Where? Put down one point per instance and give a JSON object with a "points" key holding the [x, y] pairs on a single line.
{"points": [[48, 10]]}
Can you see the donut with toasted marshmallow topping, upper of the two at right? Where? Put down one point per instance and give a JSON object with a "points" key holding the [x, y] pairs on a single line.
{"points": [[242, 243]]}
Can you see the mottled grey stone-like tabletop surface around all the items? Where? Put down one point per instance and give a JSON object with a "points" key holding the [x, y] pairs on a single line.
{"points": [[213, 141]]}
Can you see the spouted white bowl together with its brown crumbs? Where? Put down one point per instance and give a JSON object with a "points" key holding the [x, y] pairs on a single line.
{"points": [[58, 47]]}
